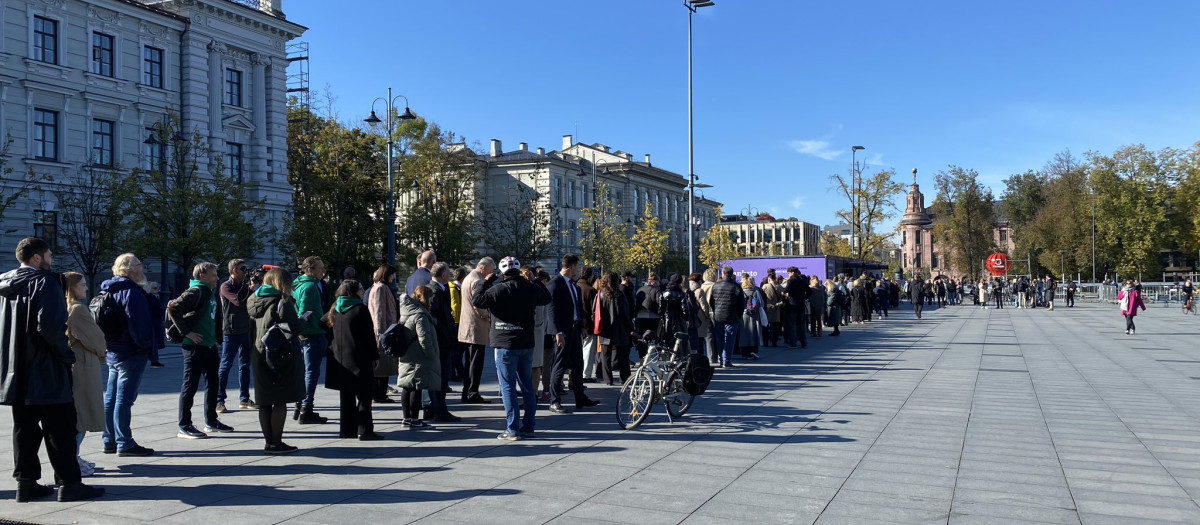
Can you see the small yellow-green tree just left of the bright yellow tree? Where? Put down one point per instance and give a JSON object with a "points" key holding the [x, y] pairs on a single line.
{"points": [[605, 237]]}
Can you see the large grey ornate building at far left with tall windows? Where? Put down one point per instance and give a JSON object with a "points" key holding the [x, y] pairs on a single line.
{"points": [[83, 83]]}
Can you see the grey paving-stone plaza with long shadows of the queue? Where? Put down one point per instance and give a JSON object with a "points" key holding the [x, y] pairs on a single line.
{"points": [[967, 417]]}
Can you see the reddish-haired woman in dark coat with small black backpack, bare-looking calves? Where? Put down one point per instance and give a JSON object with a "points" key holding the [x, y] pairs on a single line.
{"points": [[278, 382]]}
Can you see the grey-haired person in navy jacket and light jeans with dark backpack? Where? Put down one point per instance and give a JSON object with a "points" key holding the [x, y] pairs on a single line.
{"points": [[124, 316]]}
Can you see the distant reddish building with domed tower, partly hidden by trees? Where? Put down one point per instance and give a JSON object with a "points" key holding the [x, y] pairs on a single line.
{"points": [[919, 249]]}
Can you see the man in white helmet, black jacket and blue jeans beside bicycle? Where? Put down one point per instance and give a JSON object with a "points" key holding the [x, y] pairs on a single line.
{"points": [[513, 304]]}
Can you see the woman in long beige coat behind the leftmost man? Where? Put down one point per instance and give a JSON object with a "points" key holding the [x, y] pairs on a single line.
{"points": [[88, 343]]}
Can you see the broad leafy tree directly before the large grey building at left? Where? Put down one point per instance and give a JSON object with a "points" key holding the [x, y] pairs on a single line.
{"points": [[185, 215]]}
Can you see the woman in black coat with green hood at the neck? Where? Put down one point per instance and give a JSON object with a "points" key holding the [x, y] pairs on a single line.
{"points": [[353, 359]]}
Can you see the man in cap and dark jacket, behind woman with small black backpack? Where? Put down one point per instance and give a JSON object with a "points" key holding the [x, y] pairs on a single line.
{"points": [[236, 347]]}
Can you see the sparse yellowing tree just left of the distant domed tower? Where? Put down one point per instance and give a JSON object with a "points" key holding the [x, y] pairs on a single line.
{"points": [[875, 200]]}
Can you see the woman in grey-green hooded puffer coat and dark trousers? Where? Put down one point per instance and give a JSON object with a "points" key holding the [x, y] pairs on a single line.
{"points": [[421, 369]]}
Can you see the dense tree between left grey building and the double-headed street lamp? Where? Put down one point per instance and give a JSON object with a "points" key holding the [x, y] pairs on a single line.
{"points": [[340, 192]]}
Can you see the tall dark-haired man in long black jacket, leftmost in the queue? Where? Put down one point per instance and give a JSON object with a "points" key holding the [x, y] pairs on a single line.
{"points": [[35, 376]]}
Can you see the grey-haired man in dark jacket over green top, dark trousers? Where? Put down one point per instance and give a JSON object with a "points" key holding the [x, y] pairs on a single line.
{"points": [[196, 316]]}
